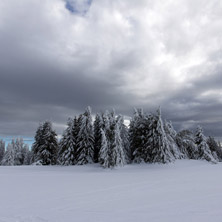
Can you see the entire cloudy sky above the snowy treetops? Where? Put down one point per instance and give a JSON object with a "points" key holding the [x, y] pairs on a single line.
{"points": [[57, 57]]}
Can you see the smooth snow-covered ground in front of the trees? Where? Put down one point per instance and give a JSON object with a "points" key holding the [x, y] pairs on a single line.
{"points": [[184, 191]]}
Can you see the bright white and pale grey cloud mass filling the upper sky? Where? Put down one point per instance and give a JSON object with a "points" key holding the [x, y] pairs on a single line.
{"points": [[152, 50]]}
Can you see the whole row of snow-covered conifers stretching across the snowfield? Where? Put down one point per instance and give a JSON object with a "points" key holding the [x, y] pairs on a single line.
{"points": [[109, 142]]}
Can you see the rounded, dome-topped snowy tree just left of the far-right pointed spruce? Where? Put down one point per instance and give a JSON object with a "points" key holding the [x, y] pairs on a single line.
{"points": [[186, 143]]}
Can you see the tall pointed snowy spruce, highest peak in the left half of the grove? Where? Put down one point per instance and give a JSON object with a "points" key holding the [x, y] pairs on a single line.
{"points": [[85, 141]]}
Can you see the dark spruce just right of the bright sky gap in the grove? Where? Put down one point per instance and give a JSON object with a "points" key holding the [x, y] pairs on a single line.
{"points": [[137, 135]]}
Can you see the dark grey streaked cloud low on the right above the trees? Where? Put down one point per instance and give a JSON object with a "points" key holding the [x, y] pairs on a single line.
{"points": [[199, 104]]}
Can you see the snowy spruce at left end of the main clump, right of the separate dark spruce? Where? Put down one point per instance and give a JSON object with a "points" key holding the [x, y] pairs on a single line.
{"points": [[68, 144]]}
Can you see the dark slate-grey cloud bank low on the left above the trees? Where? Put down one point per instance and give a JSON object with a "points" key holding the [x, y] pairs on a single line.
{"points": [[44, 93]]}
